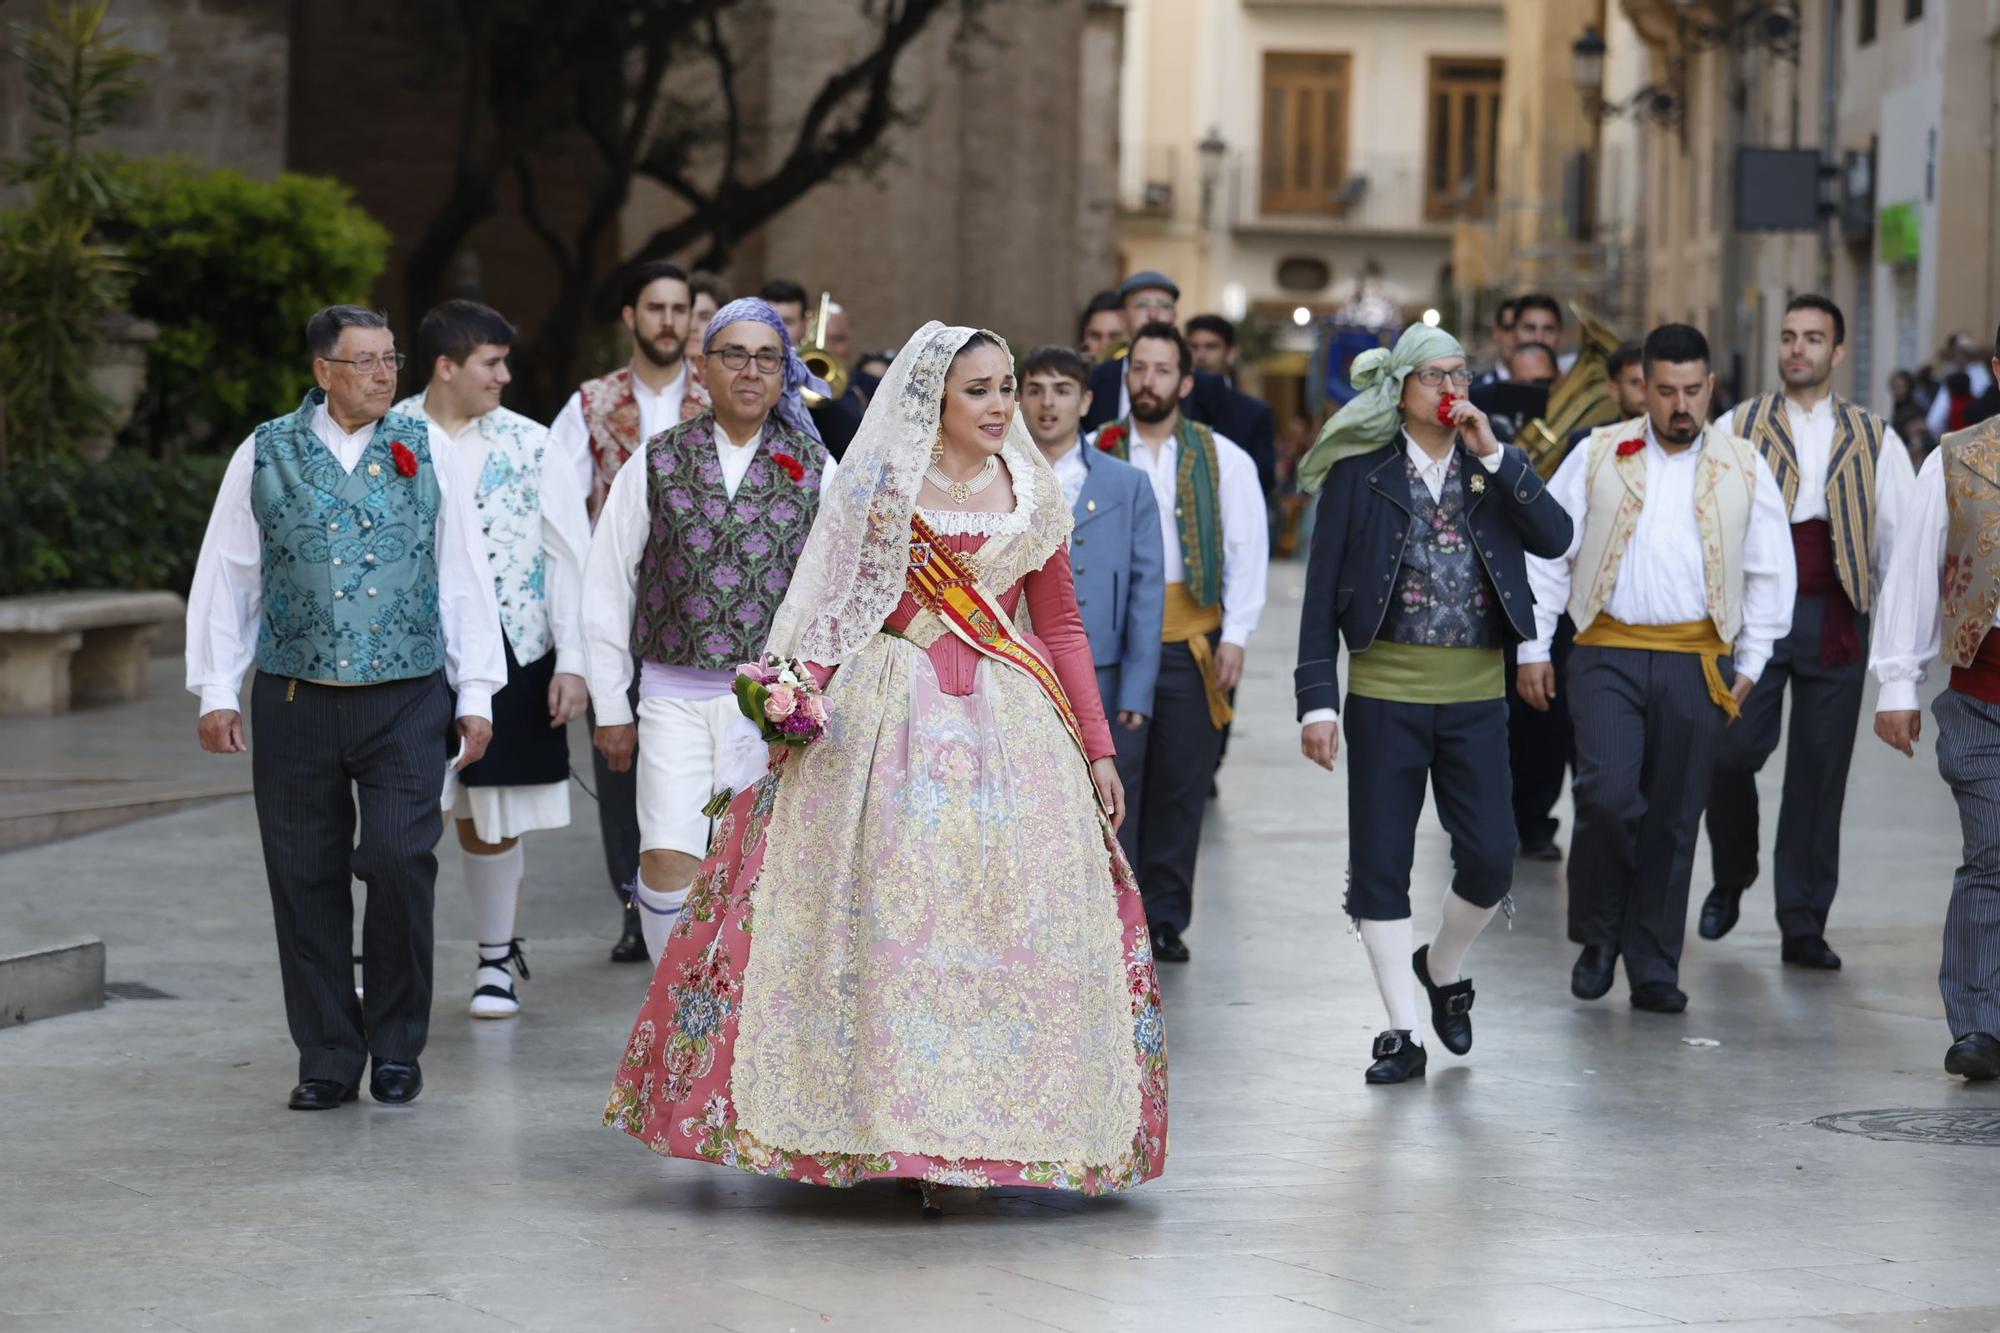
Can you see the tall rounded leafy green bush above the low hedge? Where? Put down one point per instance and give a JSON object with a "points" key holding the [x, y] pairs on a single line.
{"points": [[231, 269]]}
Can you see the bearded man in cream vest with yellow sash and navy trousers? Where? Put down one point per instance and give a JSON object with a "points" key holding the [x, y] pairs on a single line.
{"points": [[1679, 581]]}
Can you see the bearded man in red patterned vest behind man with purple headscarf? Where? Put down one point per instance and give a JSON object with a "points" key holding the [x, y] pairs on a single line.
{"points": [[603, 425]]}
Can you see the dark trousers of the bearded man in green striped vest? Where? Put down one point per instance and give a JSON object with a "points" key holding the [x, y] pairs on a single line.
{"points": [[1181, 760]]}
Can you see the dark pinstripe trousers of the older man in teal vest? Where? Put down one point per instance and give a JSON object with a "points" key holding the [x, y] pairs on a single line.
{"points": [[315, 750]]}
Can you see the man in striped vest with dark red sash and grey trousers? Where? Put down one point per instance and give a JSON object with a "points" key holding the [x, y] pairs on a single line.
{"points": [[1845, 477]]}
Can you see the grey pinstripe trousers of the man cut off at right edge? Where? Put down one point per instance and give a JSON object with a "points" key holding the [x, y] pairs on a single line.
{"points": [[1969, 760]]}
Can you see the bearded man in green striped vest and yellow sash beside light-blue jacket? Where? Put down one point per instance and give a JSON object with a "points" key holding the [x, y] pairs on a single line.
{"points": [[1217, 555]]}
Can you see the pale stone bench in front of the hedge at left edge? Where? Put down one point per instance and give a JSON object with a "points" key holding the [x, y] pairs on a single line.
{"points": [[79, 647]]}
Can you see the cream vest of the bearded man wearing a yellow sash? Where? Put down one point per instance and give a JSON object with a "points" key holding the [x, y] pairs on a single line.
{"points": [[1615, 497]]}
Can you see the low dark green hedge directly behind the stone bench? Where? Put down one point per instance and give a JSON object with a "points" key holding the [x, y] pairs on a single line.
{"points": [[125, 523]]}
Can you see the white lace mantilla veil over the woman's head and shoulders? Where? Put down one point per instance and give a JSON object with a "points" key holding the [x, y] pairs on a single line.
{"points": [[851, 575]]}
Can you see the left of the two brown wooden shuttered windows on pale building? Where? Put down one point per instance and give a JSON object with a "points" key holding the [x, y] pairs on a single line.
{"points": [[1305, 157]]}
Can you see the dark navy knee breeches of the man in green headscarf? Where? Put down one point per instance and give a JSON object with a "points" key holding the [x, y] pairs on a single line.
{"points": [[1397, 750]]}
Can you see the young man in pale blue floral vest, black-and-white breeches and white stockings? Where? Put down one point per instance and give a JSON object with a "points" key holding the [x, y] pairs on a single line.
{"points": [[537, 537]]}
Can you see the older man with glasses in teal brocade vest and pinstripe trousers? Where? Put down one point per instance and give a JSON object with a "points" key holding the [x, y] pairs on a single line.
{"points": [[345, 561]]}
